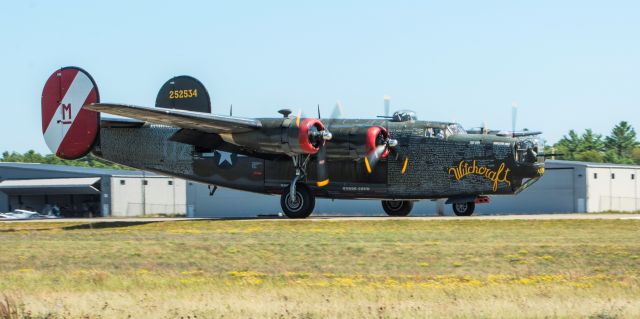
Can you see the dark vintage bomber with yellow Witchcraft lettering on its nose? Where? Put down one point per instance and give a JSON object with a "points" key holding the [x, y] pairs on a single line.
{"points": [[396, 159]]}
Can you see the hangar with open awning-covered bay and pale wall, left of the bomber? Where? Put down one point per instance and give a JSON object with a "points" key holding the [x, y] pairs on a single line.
{"points": [[86, 192]]}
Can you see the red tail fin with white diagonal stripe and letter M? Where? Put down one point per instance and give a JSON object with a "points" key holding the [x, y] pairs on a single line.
{"points": [[69, 130]]}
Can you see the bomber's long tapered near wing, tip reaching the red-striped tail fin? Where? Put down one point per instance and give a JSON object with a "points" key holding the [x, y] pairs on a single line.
{"points": [[180, 118]]}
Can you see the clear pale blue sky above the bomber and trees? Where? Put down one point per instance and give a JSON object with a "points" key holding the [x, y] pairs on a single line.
{"points": [[568, 64]]}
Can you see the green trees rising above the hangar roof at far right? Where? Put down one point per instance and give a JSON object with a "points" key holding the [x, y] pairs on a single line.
{"points": [[620, 146]]}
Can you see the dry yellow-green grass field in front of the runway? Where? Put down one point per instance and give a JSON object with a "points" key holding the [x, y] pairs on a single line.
{"points": [[322, 268]]}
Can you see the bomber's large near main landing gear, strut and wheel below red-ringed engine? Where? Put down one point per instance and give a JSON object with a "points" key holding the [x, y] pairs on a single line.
{"points": [[297, 201]]}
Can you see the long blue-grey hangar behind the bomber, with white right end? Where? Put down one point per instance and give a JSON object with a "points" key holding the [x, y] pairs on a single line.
{"points": [[566, 187]]}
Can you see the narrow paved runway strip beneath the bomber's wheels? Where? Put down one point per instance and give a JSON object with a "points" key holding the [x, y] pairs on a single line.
{"points": [[350, 218]]}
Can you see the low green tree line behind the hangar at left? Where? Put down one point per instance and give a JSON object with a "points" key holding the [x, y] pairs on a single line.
{"points": [[35, 157]]}
